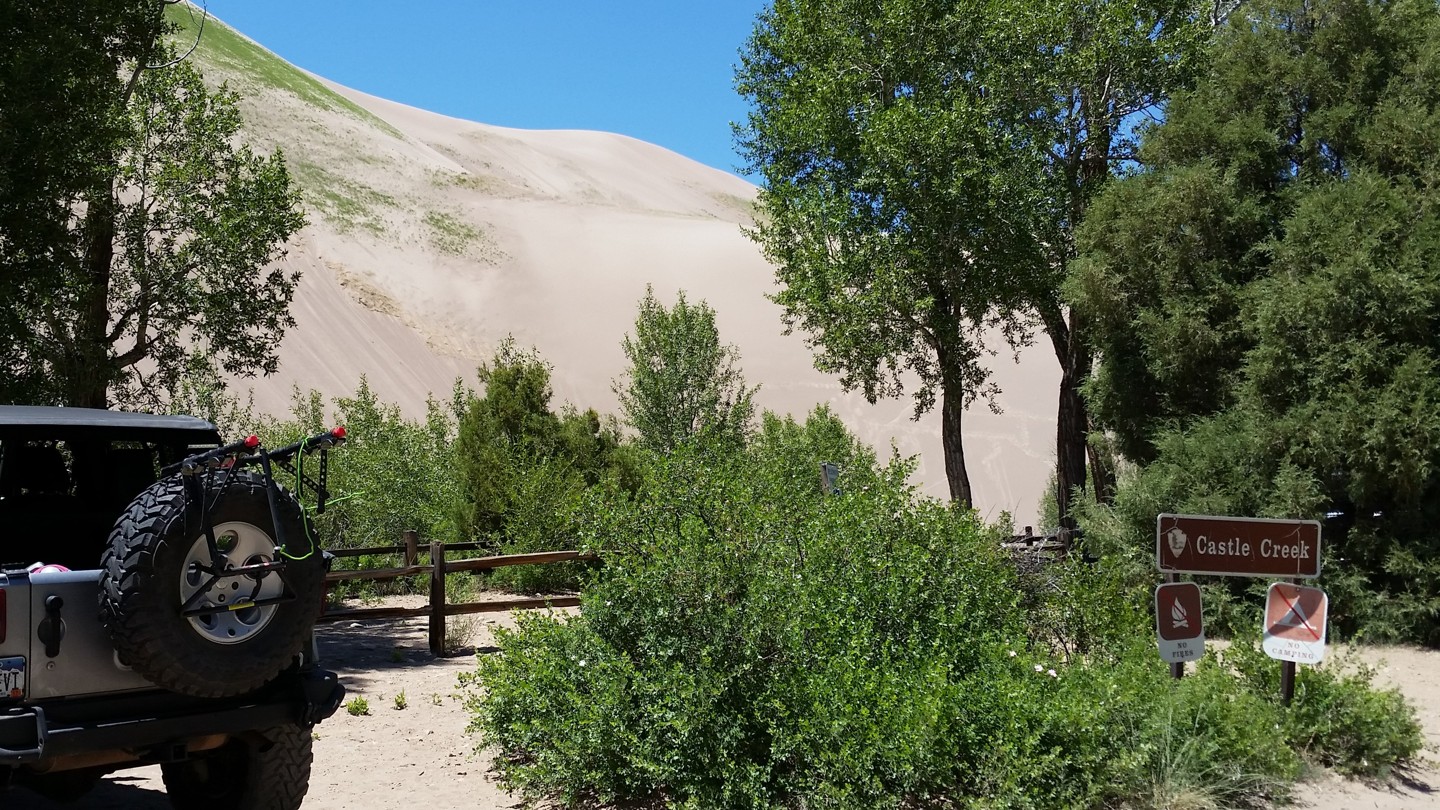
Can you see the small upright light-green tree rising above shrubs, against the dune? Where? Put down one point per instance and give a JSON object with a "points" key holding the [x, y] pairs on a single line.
{"points": [[682, 381]]}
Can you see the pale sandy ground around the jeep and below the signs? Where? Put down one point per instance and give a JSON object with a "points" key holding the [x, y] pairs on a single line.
{"points": [[421, 756]]}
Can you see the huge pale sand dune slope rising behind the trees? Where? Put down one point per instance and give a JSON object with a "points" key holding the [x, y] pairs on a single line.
{"points": [[434, 239]]}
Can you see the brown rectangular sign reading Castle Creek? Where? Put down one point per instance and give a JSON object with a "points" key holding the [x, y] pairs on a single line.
{"points": [[1238, 547]]}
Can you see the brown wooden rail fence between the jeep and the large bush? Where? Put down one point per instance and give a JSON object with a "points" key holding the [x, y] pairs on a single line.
{"points": [[437, 569]]}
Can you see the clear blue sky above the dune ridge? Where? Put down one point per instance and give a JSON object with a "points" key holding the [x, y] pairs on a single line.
{"points": [[656, 70]]}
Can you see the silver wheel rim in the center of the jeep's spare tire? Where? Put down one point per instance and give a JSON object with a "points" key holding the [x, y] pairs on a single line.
{"points": [[244, 544]]}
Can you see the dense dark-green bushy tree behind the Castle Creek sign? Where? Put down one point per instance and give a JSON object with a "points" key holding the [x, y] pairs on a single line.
{"points": [[1266, 298]]}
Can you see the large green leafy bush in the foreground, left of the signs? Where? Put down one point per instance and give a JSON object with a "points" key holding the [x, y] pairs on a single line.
{"points": [[757, 644]]}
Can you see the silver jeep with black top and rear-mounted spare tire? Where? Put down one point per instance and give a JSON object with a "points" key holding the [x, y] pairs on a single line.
{"points": [[158, 600]]}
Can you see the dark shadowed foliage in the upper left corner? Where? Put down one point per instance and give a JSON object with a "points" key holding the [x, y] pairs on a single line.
{"points": [[61, 79]]}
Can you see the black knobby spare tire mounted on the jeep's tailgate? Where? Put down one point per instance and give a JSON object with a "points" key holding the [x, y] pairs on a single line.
{"points": [[150, 570]]}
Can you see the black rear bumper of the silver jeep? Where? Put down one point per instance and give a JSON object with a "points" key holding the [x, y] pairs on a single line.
{"points": [[150, 726]]}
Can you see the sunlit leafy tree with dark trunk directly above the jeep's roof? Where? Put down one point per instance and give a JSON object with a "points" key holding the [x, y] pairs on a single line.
{"points": [[162, 246]]}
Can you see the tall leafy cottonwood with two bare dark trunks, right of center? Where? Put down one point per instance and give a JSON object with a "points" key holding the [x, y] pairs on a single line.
{"points": [[924, 168]]}
